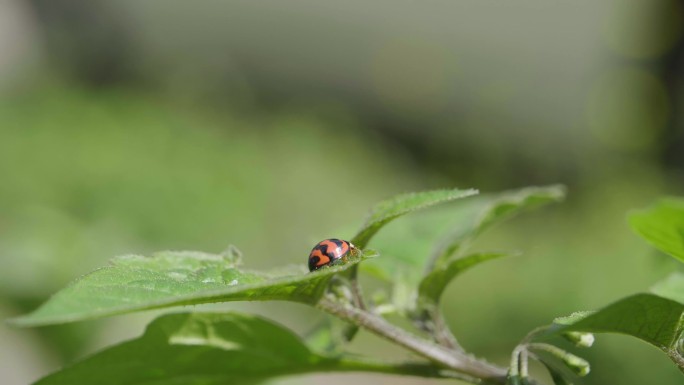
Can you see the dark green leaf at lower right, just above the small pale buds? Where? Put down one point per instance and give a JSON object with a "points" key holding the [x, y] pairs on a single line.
{"points": [[656, 320]]}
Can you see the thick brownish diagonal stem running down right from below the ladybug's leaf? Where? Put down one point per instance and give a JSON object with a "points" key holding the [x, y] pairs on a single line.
{"points": [[440, 355]]}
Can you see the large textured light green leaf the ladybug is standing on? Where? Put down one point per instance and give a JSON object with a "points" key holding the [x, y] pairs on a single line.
{"points": [[134, 283]]}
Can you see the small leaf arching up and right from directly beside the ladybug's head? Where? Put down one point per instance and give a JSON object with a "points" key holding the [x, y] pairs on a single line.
{"points": [[388, 210]]}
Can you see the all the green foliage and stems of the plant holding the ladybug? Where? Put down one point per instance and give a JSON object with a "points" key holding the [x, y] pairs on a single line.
{"points": [[218, 348]]}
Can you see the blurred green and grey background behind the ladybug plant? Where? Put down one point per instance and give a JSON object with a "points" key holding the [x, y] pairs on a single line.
{"points": [[129, 127]]}
